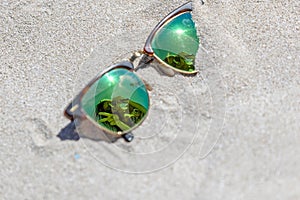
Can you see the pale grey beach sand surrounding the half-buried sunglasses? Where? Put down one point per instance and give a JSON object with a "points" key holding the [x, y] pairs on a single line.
{"points": [[231, 132]]}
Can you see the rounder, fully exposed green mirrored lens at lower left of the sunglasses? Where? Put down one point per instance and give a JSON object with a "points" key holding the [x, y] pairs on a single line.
{"points": [[118, 101]]}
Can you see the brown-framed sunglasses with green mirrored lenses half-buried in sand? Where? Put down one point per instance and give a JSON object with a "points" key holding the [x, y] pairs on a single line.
{"points": [[117, 101]]}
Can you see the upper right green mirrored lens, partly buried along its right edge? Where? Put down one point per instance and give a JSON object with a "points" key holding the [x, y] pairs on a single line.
{"points": [[177, 43]]}
